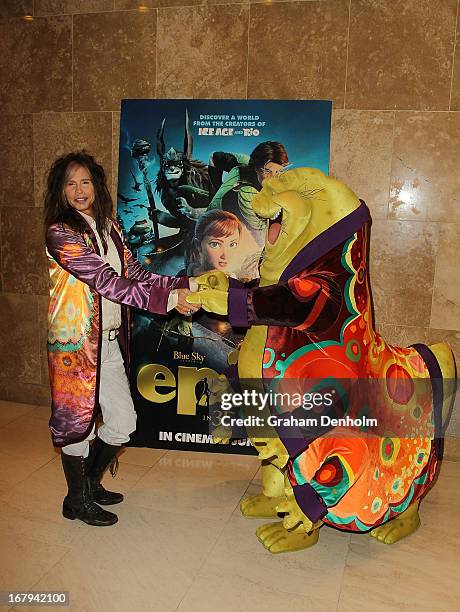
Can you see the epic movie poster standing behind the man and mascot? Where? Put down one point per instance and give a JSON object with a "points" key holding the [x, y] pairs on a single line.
{"points": [[188, 171]]}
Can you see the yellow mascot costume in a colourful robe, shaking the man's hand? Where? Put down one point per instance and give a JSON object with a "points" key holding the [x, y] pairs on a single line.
{"points": [[309, 319]]}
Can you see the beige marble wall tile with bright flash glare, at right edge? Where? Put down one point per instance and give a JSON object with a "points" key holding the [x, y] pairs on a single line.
{"points": [[425, 182]]}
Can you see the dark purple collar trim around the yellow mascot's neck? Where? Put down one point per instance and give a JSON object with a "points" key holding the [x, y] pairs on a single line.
{"points": [[328, 240]]}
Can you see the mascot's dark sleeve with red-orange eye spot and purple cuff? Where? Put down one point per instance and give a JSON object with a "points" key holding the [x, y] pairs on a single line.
{"points": [[305, 301]]}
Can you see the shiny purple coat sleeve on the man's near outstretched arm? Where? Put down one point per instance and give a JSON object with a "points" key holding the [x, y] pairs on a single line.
{"points": [[148, 292]]}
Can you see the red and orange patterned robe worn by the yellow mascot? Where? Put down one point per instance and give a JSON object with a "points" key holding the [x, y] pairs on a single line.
{"points": [[319, 325]]}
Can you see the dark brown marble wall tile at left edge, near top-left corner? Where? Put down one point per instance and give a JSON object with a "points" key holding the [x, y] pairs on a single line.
{"points": [[36, 65]]}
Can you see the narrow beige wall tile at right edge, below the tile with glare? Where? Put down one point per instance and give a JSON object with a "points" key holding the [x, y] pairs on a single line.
{"points": [[445, 311]]}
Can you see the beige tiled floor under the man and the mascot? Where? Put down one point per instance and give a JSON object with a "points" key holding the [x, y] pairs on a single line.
{"points": [[181, 543]]}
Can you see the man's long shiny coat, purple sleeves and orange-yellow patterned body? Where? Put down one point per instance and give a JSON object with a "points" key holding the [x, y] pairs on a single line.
{"points": [[78, 279]]}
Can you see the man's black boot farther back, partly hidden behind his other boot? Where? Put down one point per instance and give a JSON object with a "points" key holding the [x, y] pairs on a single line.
{"points": [[100, 456]]}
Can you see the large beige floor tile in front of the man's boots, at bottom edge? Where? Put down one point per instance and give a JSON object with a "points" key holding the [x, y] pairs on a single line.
{"points": [[147, 561]]}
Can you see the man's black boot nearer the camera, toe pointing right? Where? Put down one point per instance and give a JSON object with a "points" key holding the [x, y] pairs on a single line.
{"points": [[78, 503]]}
